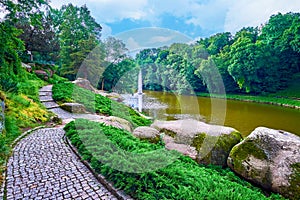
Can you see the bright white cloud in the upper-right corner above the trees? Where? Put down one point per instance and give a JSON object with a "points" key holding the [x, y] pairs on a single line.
{"points": [[253, 13]]}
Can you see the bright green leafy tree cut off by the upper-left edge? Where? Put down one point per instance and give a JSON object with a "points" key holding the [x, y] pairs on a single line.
{"points": [[10, 63]]}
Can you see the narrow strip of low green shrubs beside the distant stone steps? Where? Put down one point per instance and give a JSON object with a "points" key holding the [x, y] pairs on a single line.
{"points": [[96, 103]]}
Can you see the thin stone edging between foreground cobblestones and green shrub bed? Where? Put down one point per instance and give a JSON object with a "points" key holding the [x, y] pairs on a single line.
{"points": [[118, 193]]}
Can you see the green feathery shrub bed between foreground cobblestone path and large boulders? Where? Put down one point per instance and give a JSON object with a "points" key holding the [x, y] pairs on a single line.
{"points": [[106, 148]]}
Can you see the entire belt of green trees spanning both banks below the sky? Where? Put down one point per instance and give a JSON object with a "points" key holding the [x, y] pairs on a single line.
{"points": [[255, 60]]}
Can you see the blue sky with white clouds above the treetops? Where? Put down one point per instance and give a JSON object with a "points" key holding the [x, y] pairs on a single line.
{"points": [[192, 18]]}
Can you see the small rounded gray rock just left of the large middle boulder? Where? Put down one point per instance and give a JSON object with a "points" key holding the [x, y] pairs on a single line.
{"points": [[147, 133]]}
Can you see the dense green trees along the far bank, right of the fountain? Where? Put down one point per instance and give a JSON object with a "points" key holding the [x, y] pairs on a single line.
{"points": [[253, 61]]}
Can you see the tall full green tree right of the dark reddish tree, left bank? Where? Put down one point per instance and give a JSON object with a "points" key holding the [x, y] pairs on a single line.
{"points": [[77, 28]]}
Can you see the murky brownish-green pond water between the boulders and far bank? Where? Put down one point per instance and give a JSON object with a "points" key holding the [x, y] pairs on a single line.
{"points": [[244, 116]]}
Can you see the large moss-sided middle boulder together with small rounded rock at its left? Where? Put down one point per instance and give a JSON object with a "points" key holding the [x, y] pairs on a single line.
{"points": [[207, 144]]}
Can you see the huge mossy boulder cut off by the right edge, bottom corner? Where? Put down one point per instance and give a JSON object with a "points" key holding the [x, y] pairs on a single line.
{"points": [[270, 158]]}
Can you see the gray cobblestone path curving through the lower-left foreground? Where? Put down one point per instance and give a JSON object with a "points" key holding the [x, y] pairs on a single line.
{"points": [[43, 167]]}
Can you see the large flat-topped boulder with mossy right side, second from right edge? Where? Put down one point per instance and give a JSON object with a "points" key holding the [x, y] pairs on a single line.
{"points": [[213, 143]]}
